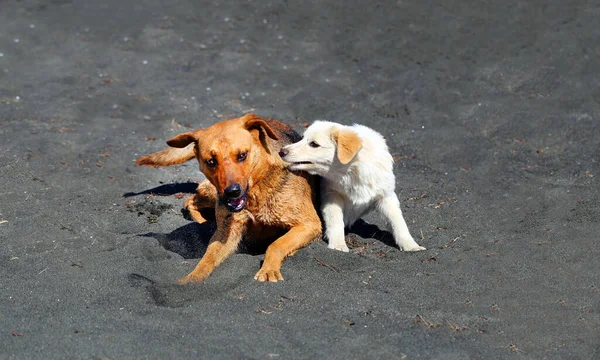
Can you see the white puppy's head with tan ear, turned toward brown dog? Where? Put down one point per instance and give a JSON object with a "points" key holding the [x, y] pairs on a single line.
{"points": [[325, 145]]}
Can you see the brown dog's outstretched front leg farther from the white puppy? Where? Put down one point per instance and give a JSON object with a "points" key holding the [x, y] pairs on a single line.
{"points": [[223, 243]]}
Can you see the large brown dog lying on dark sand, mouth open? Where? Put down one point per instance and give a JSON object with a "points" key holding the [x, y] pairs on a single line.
{"points": [[250, 188]]}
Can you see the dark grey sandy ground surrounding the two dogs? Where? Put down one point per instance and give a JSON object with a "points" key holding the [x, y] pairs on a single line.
{"points": [[491, 111]]}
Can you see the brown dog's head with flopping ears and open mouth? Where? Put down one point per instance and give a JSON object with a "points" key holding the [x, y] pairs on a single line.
{"points": [[232, 155]]}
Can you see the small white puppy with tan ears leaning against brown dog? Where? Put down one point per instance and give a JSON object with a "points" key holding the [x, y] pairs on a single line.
{"points": [[357, 171]]}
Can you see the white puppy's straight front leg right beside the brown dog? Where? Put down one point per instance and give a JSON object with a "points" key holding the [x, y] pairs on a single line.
{"points": [[333, 216]]}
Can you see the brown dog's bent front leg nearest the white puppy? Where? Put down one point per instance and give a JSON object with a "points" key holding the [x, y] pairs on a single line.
{"points": [[295, 239]]}
